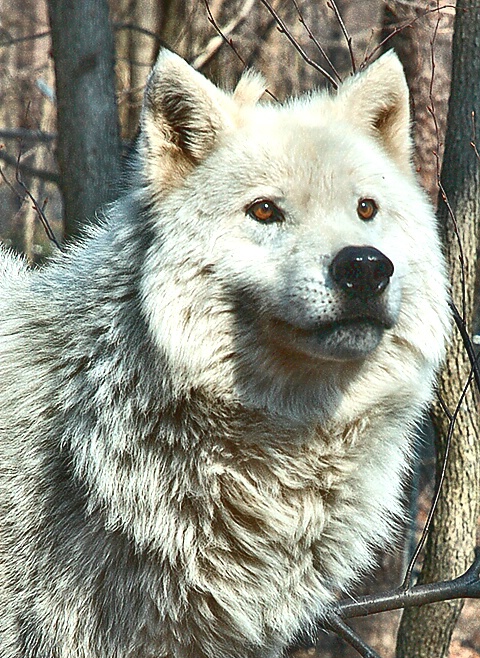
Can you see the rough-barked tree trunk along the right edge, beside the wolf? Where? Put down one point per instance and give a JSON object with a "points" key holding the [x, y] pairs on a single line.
{"points": [[426, 631]]}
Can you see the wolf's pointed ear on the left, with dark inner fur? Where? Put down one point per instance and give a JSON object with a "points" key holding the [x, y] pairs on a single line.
{"points": [[183, 113]]}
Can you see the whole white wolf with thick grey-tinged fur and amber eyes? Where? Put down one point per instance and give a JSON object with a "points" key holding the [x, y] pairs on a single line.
{"points": [[206, 406]]}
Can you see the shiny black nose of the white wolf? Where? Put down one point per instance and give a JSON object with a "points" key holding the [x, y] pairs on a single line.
{"points": [[364, 271]]}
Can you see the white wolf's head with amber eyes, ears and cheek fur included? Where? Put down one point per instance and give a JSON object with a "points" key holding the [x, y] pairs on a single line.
{"points": [[295, 250]]}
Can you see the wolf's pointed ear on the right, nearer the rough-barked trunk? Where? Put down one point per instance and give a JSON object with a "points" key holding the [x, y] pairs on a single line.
{"points": [[377, 101]]}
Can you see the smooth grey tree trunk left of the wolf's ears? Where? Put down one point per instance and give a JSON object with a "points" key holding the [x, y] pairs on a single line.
{"points": [[88, 137]]}
